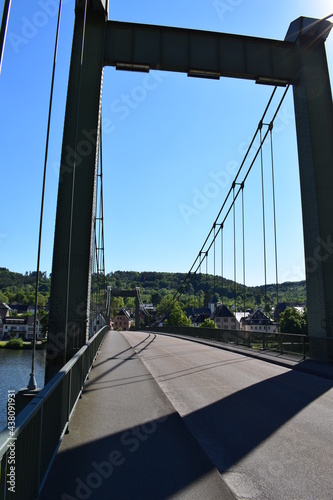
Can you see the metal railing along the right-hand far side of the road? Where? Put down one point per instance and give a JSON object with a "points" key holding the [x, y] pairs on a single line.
{"points": [[282, 343]]}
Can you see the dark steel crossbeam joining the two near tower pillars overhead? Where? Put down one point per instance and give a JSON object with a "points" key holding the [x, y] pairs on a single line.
{"points": [[141, 47]]}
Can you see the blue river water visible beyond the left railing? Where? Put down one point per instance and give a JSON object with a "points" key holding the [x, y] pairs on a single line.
{"points": [[15, 369]]}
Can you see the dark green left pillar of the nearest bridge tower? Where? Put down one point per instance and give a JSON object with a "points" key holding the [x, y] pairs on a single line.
{"points": [[72, 254]]}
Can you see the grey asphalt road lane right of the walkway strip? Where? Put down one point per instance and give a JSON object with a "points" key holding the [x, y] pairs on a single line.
{"points": [[267, 429]]}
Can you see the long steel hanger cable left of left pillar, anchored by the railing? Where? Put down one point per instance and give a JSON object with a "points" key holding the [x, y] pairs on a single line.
{"points": [[32, 382]]}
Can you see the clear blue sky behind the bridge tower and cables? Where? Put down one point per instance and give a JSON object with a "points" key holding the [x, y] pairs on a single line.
{"points": [[162, 152]]}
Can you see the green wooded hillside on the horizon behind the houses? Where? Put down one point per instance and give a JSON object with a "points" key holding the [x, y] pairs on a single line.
{"points": [[16, 287]]}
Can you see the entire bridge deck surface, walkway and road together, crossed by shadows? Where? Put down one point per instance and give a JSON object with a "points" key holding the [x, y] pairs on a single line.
{"points": [[266, 428]]}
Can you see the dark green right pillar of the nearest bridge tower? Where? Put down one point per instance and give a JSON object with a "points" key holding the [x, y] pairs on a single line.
{"points": [[314, 124]]}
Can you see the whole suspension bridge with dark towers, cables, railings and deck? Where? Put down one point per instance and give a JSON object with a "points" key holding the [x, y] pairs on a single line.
{"points": [[102, 456]]}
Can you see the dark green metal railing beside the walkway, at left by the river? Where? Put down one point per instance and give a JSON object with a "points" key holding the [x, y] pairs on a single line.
{"points": [[29, 444]]}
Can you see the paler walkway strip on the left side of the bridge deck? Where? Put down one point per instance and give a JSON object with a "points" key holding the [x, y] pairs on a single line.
{"points": [[126, 441]]}
